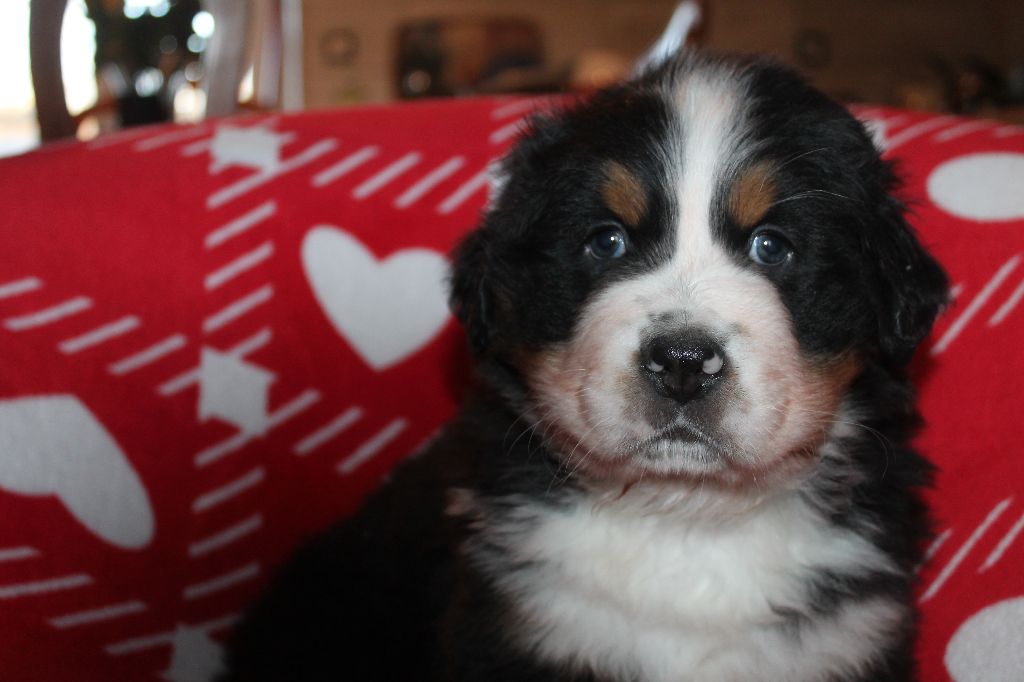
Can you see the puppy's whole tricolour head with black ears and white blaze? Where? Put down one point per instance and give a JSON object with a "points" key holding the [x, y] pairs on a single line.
{"points": [[687, 274]]}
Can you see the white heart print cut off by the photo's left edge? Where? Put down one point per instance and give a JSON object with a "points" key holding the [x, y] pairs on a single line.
{"points": [[53, 445]]}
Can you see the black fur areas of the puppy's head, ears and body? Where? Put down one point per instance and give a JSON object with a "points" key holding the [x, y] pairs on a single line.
{"points": [[400, 592]]}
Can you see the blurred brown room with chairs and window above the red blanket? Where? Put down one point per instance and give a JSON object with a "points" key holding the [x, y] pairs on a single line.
{"points": [[82, 68]]}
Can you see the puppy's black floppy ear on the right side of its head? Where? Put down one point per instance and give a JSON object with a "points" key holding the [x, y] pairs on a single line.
{"points": [[912, 288]]}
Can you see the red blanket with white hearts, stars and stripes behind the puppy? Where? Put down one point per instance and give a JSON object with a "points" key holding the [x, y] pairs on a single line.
{"points": [[217, 339]]}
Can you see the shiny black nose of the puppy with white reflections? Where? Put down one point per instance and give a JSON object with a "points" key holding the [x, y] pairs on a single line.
{"points": [[684, 367]]}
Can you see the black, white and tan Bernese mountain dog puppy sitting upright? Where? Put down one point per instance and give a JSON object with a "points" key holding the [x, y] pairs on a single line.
{"points": [[693, 300]]}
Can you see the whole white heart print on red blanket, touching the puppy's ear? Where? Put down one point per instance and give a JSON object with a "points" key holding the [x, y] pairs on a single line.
{"points": [[387, 310]]}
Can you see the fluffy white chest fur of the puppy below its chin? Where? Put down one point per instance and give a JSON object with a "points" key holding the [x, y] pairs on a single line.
{"points": [[661, 598]]}
